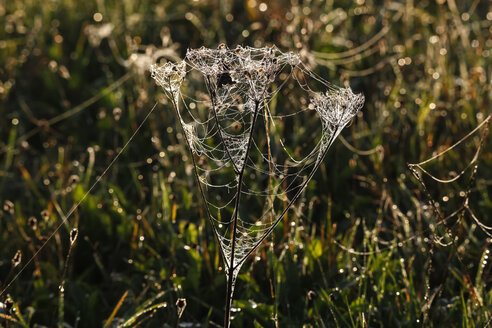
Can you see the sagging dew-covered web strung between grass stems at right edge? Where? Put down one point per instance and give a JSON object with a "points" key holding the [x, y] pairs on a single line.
{"points": [[447, 190]]}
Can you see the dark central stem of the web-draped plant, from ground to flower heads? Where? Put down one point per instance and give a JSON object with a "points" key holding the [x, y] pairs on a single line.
{"points": [[232, 268]]}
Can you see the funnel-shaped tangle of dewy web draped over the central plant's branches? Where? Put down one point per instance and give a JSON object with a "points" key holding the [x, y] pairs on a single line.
{"points": [[245, 169]]}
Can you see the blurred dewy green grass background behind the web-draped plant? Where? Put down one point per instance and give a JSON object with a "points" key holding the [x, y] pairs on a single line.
{"points": [[369, 245]]}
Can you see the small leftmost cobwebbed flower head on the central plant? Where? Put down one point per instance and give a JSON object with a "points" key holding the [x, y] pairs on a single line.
{"points": [[169, 76]]}
